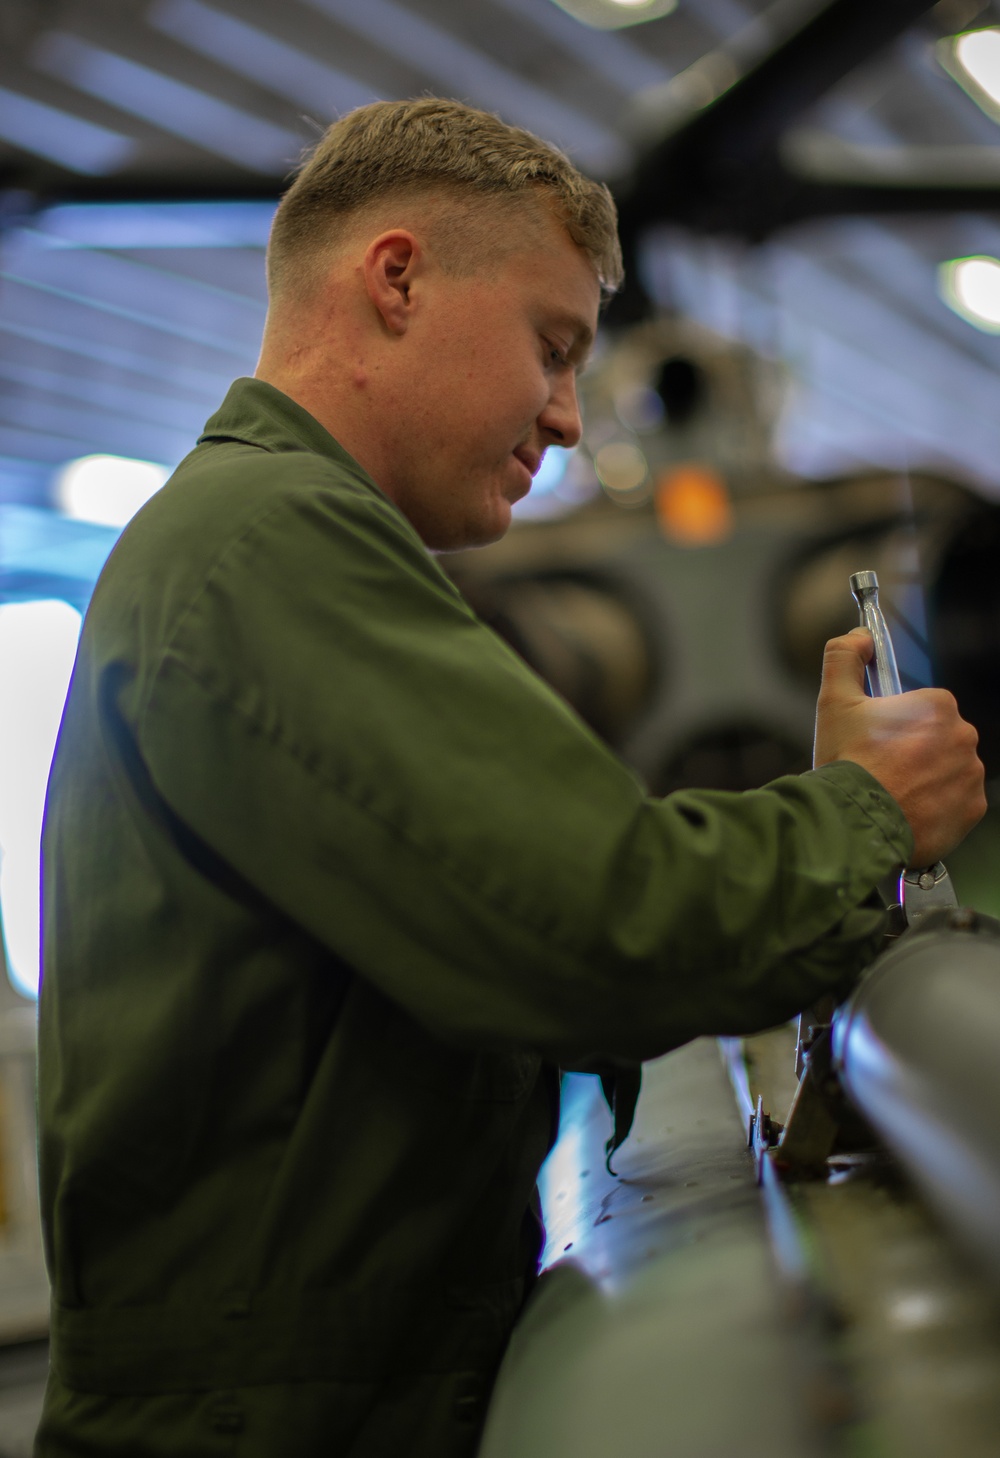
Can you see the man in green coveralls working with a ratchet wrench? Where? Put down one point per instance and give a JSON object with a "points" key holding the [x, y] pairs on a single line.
{"points": [[335, 884]]}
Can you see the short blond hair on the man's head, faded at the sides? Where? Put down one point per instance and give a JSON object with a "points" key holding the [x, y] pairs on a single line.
{"points": [[445, 149]]}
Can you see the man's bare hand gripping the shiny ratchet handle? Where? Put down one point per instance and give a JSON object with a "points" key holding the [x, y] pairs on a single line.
{"points": [[915, 744]]}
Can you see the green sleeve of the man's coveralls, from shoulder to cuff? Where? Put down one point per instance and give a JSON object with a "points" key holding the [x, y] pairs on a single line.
{"points": [[333, 720]]}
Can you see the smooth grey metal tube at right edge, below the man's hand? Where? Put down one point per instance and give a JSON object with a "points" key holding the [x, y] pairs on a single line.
{"points": [[918, 1050]]}
